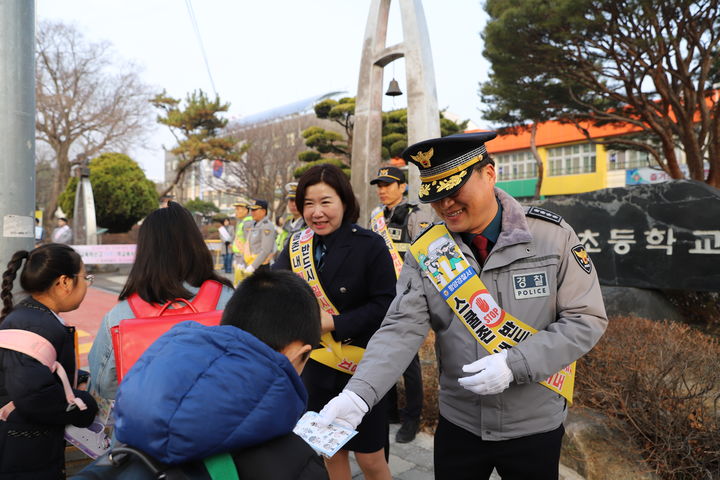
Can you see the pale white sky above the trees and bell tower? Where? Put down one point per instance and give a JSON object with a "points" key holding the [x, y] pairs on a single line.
{"points": [[264, 54]]}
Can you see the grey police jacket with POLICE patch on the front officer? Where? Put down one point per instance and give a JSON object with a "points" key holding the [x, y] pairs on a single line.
{"points": [[569, 316]]}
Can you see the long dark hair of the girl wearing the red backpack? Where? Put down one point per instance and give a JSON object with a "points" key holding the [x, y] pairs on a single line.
{"points": [[170, 251]]}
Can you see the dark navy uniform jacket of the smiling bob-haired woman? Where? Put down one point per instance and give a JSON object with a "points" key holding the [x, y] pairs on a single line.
{"points": [[359, 279]]}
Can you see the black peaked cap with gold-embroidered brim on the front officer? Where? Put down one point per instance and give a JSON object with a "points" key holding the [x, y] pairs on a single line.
{"points": [[446, 163]]}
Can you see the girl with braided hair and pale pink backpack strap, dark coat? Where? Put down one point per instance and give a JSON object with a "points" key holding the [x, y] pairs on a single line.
{"points": [[36, 398]]}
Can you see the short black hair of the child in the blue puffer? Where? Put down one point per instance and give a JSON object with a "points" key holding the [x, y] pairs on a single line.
{"points": [[276, 306]]}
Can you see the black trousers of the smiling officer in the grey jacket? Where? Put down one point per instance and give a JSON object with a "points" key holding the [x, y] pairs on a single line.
{"points": [[461, 455]]}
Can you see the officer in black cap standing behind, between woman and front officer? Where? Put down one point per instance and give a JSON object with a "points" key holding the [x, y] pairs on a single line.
{"points": [[404, 222]]}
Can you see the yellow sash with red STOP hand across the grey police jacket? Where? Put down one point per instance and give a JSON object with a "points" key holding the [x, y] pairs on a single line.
{"points": [[495, 329]]}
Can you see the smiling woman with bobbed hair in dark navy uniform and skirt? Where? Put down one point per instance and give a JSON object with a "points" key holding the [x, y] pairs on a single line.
{"points": [[356, 272]]}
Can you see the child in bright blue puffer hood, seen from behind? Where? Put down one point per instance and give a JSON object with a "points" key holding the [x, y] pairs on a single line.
{"points": [[221, 402]]}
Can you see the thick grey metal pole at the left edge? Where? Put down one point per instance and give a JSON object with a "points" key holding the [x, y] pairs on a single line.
{"points": [[17, 127]]}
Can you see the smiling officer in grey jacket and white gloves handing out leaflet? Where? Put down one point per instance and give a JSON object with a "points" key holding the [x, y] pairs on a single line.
{"points": [[494, 412]]}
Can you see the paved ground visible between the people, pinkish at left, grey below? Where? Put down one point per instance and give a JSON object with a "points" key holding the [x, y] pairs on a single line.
{"points": [[409, 461]]}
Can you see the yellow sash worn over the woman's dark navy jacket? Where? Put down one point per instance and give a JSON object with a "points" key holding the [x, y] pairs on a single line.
{"points": [[332, 353]]}
